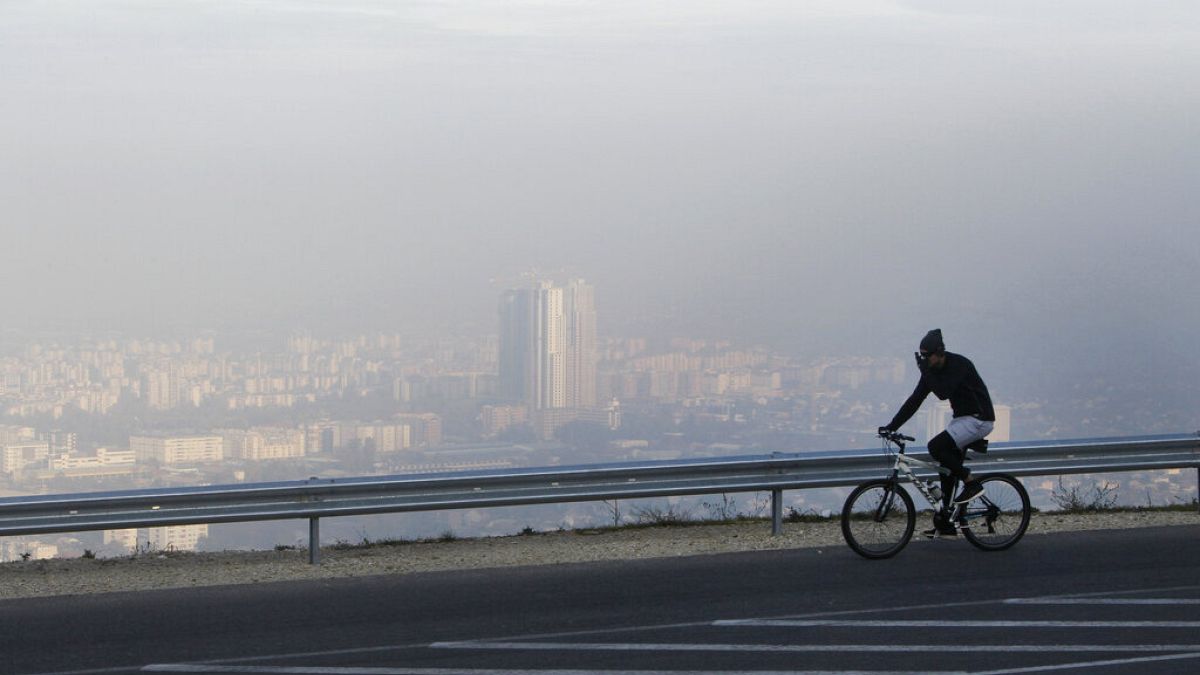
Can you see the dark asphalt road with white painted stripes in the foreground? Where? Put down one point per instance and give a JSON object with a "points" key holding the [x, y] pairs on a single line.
{"points": [[1089, 602]]}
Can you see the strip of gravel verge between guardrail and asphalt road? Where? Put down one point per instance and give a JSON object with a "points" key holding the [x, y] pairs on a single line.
{"points": [[71, 577]]}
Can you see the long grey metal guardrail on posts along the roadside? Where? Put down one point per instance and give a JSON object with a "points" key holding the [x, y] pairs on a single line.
{"points": [[319, 498]]}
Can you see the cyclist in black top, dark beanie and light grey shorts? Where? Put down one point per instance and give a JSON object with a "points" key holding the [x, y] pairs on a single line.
{"points": [[951, 377]]}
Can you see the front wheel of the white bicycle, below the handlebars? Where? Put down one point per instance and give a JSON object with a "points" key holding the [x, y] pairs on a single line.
{"points": [[879, 519]]}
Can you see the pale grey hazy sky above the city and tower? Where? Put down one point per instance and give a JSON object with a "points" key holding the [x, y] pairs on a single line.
{"points": [[1023, 175]]}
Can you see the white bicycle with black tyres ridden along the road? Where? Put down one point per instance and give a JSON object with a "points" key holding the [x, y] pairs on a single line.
{"points": [[879, 517]]}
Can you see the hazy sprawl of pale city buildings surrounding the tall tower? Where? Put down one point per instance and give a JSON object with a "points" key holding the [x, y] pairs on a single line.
{"points": [[385, 404]]}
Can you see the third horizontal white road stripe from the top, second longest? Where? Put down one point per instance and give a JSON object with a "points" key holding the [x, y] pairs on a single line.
{"points": [[787, 649]]}
